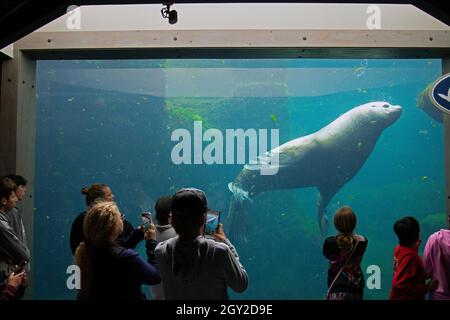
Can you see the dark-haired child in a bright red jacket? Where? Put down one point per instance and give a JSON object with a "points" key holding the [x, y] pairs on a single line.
{"points": [[409, 278]]}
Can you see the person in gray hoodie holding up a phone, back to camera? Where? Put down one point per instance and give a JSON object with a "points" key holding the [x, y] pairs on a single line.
{"points": [[192, 266]]}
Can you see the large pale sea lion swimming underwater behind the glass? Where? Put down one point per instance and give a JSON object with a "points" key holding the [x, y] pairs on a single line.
{"points": [[326, 159]]}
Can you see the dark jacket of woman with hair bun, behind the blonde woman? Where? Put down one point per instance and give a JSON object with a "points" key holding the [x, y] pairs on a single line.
{"points": [[129, 238]]}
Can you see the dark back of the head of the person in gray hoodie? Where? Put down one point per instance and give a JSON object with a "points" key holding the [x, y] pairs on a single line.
{"points": [[188, 209]]}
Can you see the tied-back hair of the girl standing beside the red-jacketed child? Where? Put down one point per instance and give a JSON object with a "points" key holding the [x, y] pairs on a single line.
{"points": [[345, 222]]}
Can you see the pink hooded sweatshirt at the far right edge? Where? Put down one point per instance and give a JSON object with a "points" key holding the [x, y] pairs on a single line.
{"points": [[436, 258]]}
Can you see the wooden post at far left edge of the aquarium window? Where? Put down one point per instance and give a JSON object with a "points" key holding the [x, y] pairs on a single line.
{"points": [[17, 131]]}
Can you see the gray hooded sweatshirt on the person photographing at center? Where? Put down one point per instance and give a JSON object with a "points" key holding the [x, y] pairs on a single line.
{"points": [[199, 269]]}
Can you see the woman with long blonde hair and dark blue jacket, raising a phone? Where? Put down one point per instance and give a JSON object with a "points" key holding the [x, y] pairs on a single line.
{"points": [[109, 271]]}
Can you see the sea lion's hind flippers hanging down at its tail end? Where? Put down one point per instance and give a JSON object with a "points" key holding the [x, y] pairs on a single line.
{"points": [[237, 216]]}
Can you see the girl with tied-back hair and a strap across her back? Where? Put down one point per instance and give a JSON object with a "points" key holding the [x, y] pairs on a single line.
{"points": [[344, 253]]}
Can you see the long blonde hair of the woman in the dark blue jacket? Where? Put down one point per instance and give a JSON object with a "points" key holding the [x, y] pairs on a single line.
{"points": [[102, 226]]}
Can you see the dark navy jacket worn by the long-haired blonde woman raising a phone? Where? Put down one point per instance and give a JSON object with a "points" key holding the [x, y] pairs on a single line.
{"points": [[118, 273]]}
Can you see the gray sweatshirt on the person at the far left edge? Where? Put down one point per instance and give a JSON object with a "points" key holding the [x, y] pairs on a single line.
{"points": [[12, 250]]}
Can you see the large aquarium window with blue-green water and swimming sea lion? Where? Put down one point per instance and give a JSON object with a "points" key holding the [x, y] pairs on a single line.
{"points": [[149, 127]]}
